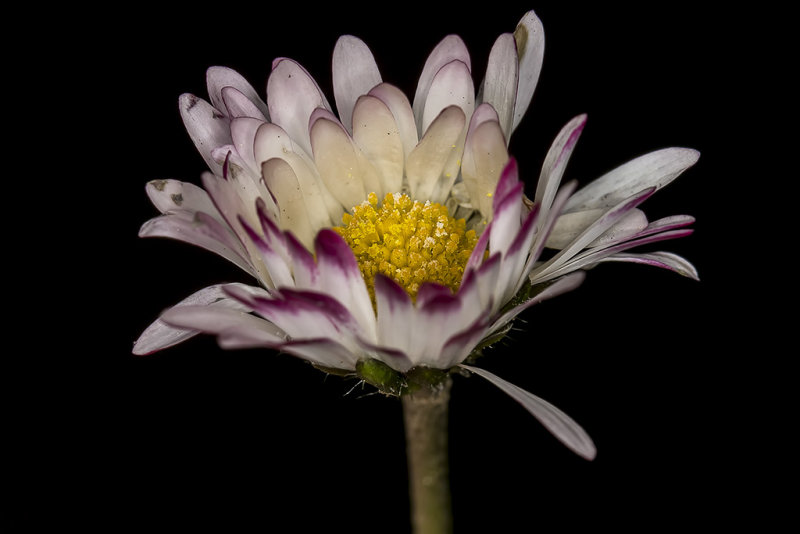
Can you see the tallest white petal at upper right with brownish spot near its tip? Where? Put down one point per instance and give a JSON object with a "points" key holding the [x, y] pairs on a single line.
{"points": [[529, 36]]}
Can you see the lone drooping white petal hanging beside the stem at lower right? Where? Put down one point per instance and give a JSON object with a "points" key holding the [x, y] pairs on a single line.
{"points": [[554, 420]]}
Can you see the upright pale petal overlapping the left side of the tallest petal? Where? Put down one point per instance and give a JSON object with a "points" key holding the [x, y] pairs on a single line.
{"points": [[500, 85]]}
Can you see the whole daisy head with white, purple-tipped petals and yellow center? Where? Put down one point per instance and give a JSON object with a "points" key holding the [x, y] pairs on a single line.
{"points": [[394, 238]]}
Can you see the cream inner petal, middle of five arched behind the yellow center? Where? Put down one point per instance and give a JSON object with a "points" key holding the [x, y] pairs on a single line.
{"points": [[376, 133]]}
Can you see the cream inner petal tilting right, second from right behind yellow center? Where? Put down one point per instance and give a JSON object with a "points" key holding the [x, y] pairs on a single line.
{"points": [[429, 163]]}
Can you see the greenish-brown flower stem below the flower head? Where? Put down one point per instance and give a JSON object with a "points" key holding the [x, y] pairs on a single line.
{"points": [[425, 413]]}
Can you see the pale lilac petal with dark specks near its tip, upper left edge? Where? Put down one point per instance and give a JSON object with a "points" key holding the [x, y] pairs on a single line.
{"points": [[207, 127]]}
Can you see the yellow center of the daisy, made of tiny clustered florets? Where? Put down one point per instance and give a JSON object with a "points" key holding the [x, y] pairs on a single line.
{"points": [[409, 241]]}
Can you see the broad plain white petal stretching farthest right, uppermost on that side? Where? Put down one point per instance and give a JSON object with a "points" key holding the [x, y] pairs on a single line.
{"points": [[655, 169]]}
